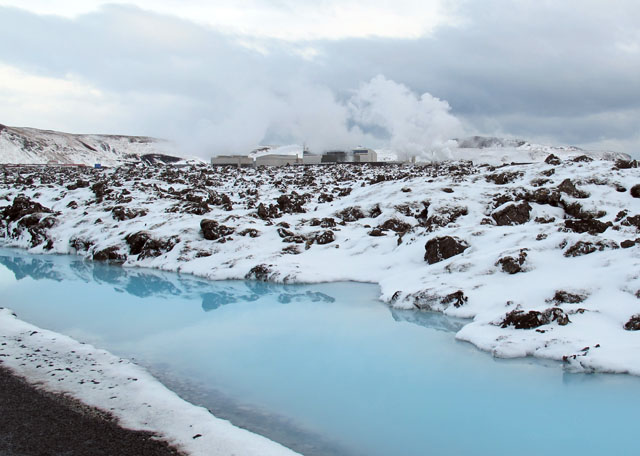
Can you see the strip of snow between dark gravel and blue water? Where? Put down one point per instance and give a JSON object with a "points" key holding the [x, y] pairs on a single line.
{"points": [[99, 379]]}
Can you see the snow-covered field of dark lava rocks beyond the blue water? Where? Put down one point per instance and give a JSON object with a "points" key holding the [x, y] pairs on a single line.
{"points": [[542, 257]]}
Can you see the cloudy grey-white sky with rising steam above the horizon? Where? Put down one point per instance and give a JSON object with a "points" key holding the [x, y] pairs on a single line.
{"points": [[225, 76]]}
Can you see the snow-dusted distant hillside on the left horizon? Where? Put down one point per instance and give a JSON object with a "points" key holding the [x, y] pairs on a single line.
{"points": [[33, 146]]}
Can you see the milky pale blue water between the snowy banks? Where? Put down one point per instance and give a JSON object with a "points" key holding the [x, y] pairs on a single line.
{"points": [[325, 369]]}
